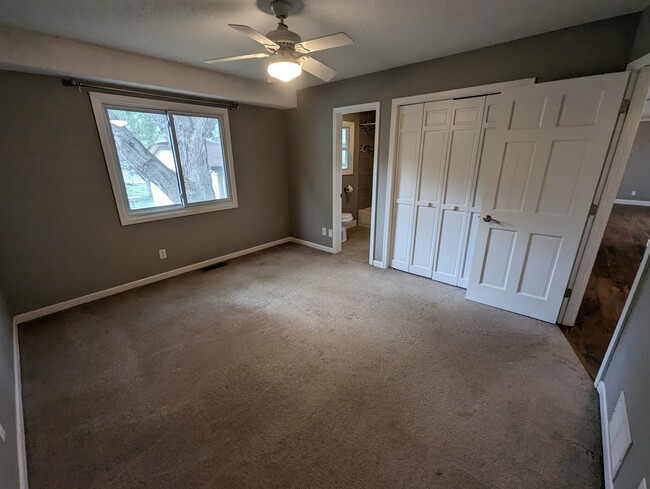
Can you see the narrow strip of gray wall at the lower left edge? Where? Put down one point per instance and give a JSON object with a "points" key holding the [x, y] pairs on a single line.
{"points": [[8, 452]]}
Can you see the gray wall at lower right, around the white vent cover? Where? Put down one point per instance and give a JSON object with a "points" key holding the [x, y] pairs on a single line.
{"points": [[629, 371]]}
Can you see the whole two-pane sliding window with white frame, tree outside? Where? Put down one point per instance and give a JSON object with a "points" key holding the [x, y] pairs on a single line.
{"points": [[165, 159]]}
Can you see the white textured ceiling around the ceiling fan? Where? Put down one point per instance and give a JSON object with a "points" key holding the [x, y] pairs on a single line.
{"points": [[388, 33]]}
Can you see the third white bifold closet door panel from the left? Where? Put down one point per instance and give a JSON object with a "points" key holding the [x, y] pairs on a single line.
{"points": [[464, 135]]}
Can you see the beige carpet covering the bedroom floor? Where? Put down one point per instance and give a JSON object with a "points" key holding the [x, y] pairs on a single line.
{"points": [[292, 368]]}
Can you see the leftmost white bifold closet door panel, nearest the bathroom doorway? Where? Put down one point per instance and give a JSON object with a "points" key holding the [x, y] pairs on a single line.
{"points": [[407, 157]]}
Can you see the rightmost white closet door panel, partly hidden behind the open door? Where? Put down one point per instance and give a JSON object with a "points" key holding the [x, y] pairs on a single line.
{"points": [[491, 115]]}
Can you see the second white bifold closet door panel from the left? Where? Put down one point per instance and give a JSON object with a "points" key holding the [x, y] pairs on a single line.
{"points": [[433, 155]]}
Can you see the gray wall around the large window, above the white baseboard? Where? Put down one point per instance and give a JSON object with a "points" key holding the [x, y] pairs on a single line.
{"points": [[61, 236]]}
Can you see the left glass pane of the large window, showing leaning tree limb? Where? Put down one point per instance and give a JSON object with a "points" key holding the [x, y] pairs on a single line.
{"points": [[146, 159]]}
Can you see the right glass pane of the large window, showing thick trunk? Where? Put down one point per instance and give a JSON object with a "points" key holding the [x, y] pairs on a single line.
{"points": [[201, 157]]}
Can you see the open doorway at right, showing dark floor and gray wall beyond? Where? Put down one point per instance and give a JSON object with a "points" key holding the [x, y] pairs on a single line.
{"points": [[619, 256]]}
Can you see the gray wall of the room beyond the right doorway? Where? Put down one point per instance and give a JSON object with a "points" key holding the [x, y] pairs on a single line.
{"points": [[637, 171]]}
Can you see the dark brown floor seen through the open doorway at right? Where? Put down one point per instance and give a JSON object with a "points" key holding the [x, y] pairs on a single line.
{"points": [[618, 260]]}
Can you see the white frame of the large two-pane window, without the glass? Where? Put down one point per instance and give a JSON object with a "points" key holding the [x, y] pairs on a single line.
{"points": [[102, 101]]}
